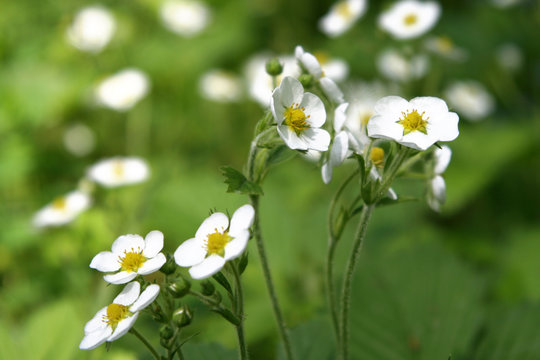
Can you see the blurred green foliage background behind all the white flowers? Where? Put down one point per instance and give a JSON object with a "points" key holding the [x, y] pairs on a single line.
{"points": [[464, 282]]}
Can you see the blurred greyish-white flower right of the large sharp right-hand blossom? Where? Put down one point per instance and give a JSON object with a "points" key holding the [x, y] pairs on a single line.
{"points": [[470, 99]]}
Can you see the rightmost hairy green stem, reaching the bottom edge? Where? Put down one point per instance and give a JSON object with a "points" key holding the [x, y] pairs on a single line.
{"points": [[347, 281]]}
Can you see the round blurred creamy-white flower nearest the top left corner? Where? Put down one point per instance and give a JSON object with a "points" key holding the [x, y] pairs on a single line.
{"points": [[92, 29]]}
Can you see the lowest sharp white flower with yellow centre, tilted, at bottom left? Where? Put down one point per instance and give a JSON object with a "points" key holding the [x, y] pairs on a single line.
{"points": [[115, 320]]}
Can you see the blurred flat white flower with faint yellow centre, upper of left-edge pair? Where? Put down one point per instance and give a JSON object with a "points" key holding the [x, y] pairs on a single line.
{"points": [[119, 171]]}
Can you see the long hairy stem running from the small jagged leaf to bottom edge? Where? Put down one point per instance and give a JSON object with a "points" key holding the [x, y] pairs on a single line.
{"points": [[268, 278]]}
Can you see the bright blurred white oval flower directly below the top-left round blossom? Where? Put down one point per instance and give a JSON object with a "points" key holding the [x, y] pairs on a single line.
{"points": [[122, 90]]}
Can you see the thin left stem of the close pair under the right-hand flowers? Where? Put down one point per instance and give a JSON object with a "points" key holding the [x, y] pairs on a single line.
{"points": [[332, 242]]}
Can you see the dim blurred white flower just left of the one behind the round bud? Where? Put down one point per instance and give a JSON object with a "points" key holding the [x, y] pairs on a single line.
{"points": [[222, 86]]}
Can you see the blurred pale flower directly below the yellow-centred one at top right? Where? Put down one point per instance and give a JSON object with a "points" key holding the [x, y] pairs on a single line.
{"points": [[397, 67]]}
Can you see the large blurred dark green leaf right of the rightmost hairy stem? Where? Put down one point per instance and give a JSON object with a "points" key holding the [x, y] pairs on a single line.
{"points": [[419, 304]]}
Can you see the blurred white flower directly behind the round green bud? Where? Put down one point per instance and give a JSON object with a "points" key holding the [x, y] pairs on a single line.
{"points": [[260, 85]]}
